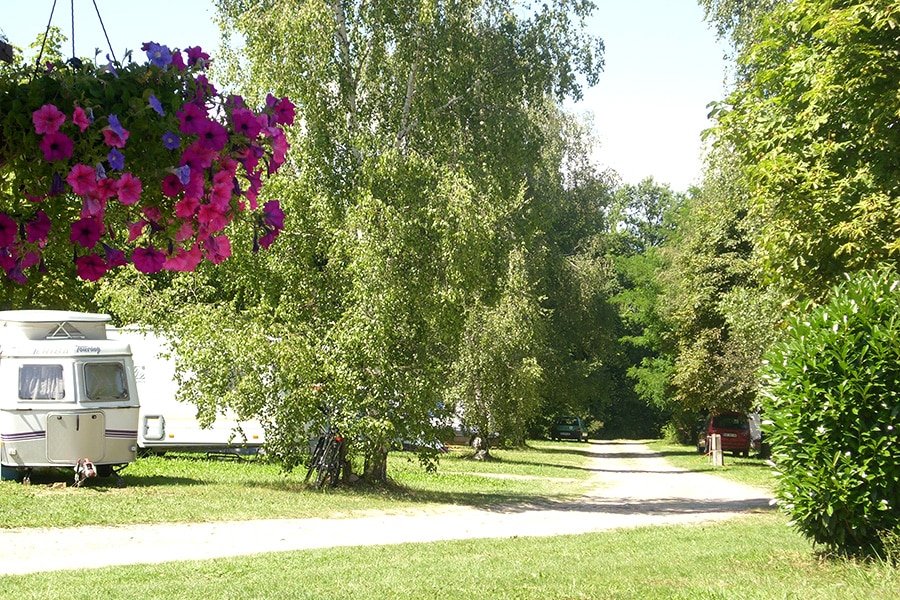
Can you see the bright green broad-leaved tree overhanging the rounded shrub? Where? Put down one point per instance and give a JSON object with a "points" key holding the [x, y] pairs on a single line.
{"points": [[814, 126]]}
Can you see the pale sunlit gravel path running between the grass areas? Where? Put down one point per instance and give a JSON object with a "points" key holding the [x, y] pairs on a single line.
{"points": [[634, 487]]}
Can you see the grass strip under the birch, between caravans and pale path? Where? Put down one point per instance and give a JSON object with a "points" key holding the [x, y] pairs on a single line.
{"points": [[193, 488]]}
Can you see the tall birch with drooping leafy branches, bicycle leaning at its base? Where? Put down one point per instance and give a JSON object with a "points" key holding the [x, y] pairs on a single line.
{"points": [[408, 193]]}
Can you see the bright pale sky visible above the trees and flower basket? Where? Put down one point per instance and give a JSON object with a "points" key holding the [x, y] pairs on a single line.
{"points": [[663, 66]]}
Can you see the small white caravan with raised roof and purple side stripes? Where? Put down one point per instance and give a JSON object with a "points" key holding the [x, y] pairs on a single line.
{"points": [[67, 395]]}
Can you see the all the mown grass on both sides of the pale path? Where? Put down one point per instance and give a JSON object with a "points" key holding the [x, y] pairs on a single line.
{"points": [[752, 557]]}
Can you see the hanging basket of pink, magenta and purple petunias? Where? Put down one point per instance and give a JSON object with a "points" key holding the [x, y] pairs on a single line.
{"points": [[140, 163]]}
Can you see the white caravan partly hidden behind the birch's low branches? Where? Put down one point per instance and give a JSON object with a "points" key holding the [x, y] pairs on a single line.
{"points": [[166, 423]]}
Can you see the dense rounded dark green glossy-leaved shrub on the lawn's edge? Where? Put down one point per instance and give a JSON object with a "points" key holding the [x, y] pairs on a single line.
{"points": [[831, 404]]}
